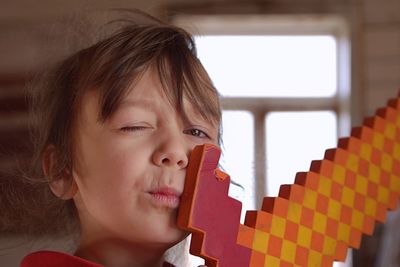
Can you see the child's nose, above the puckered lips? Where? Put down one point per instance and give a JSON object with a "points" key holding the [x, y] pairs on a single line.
{"points": [[173, 152]]}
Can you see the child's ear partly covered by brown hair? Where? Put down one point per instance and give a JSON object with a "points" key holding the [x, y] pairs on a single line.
{"points": [[65, 186]]}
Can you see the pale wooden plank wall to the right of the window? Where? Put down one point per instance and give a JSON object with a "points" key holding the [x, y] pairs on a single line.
{"points": [[381, 57]]}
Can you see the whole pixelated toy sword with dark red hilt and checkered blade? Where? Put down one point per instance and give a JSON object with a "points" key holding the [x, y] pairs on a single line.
{"points": [[312, 222]]}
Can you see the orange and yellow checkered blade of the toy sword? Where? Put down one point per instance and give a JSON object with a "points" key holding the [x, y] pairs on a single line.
{"points": [[313, 221]]}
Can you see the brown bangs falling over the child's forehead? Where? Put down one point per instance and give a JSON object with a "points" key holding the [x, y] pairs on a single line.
{"points": [[121, 60]]}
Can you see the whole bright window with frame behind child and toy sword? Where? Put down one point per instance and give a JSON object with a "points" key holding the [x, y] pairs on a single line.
{"points": [[285, 90]]}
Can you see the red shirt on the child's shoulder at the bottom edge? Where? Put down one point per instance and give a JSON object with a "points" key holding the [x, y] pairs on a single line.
{"points": [[59, 259]]}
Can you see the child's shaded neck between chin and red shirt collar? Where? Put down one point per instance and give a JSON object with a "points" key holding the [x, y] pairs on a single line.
{"points": [[117, 253]]}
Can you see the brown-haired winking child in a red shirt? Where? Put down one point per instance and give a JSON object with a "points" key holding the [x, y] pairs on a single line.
{"points": [[115, 123]]}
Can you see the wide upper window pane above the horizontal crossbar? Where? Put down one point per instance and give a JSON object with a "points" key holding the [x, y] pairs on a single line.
{"points": [[270, 66]]}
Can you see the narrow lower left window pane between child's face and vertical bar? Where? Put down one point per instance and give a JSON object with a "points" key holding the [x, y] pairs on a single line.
{"points": [[238, 155]]}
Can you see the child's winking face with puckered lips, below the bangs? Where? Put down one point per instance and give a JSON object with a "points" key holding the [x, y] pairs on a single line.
{"points": [[130, 169]]}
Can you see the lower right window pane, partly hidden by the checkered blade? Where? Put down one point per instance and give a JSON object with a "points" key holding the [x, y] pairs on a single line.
{"points": [[293, 140]]}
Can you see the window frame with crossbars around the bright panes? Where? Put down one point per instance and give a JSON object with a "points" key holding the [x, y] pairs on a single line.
{"points": [[333, 25]]}
